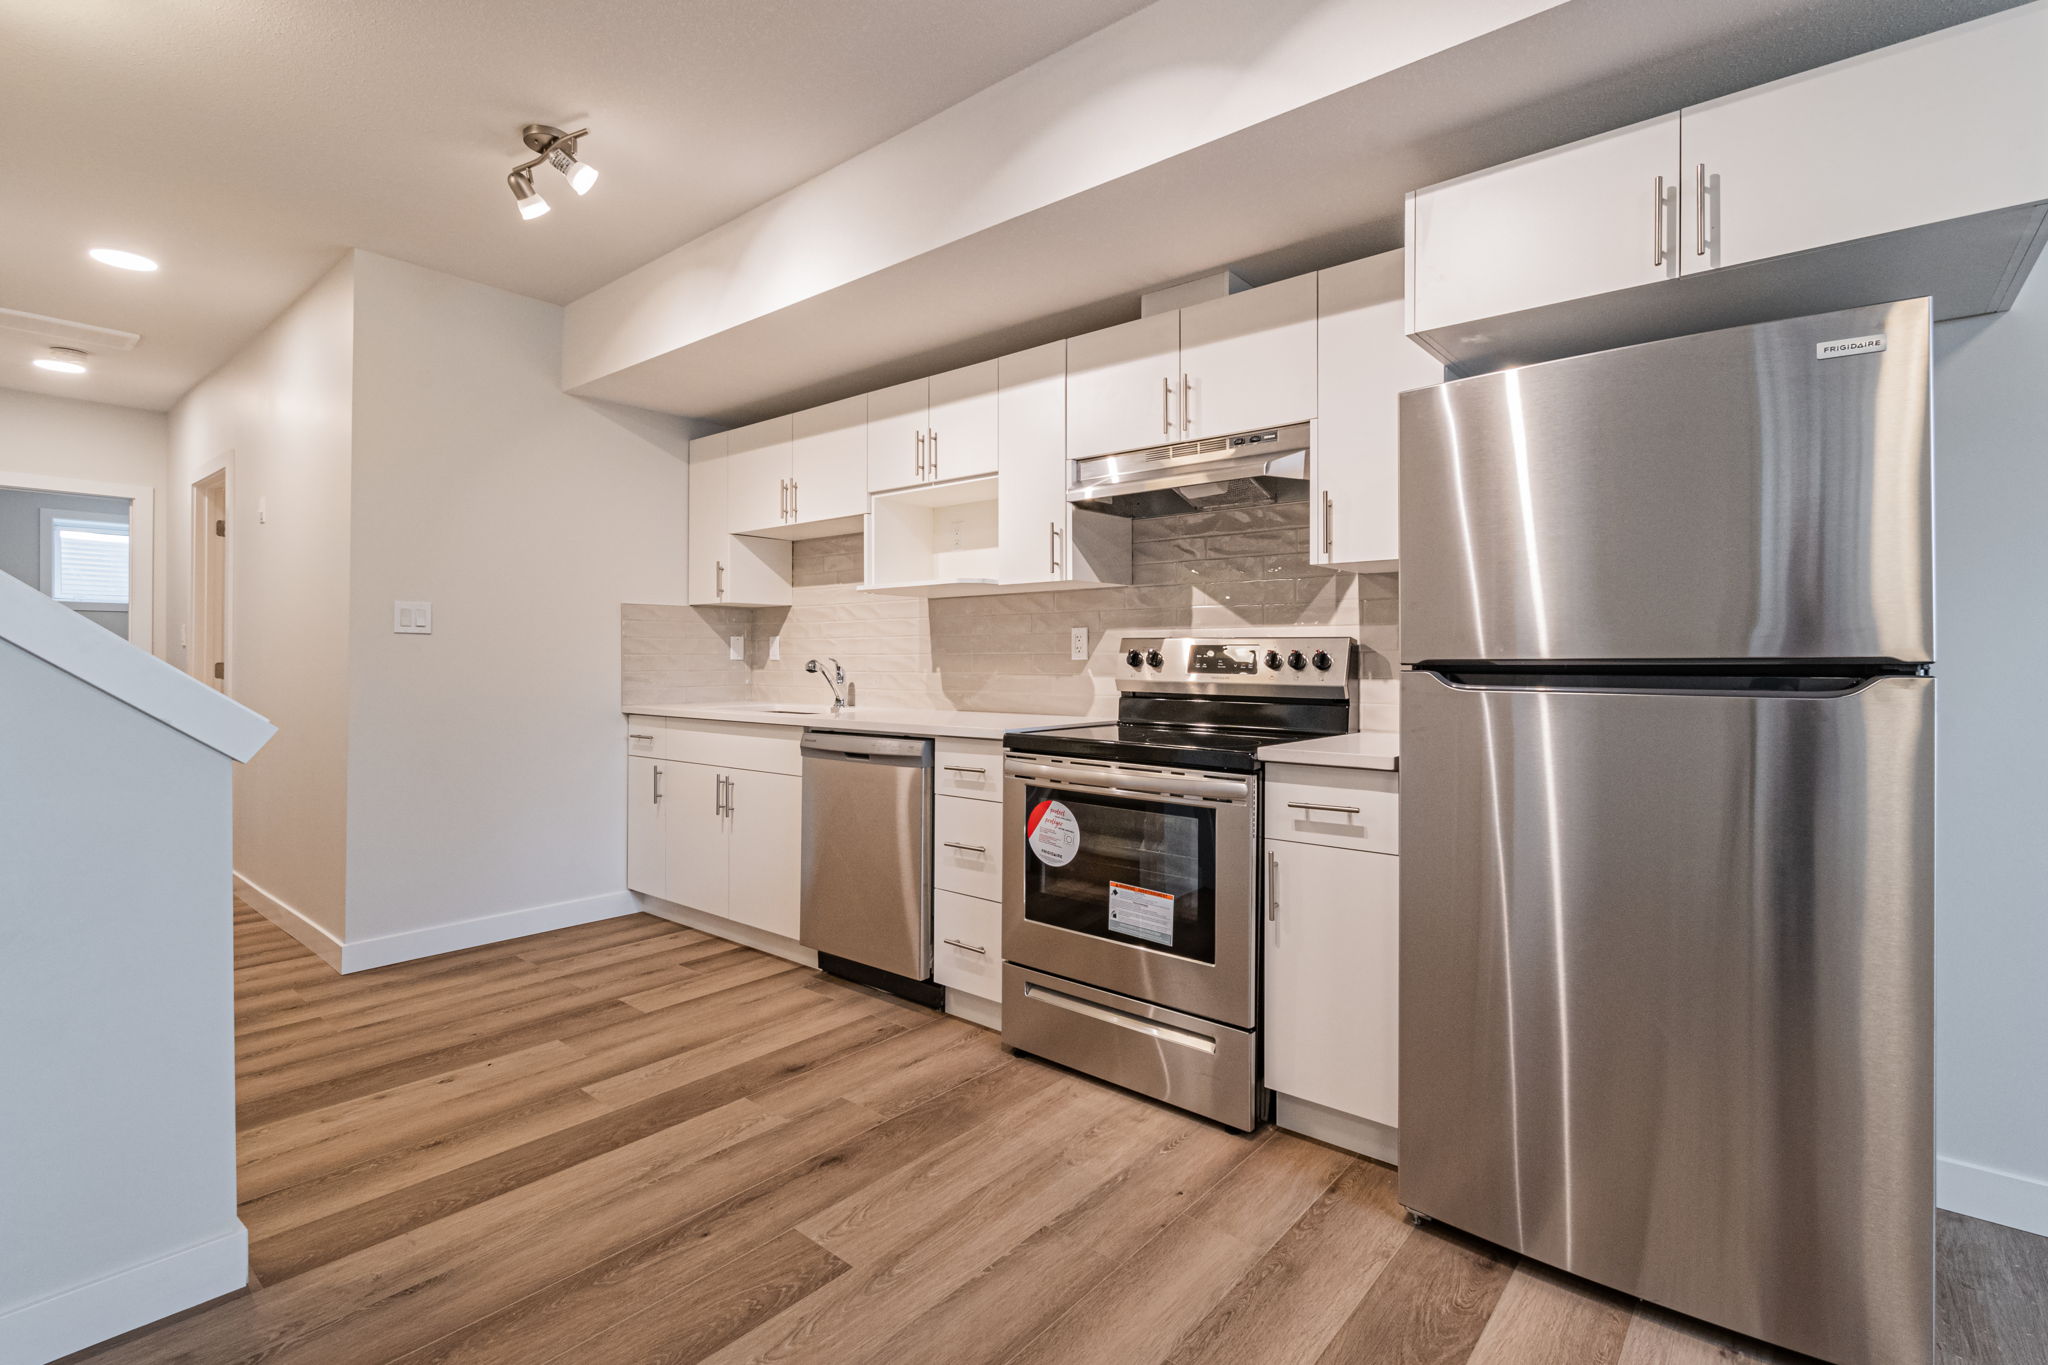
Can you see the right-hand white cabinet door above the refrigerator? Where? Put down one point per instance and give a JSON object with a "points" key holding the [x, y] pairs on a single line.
{"points": [[1930, 130]]}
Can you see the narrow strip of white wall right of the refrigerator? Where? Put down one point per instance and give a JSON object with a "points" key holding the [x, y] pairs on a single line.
{"points": [[1992, 861]]}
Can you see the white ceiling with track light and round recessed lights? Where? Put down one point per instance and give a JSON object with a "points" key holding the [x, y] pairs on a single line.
{"points": [[247, 144]]}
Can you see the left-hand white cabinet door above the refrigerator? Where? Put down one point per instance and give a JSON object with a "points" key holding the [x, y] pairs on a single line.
{"points": [[1566, 224]]}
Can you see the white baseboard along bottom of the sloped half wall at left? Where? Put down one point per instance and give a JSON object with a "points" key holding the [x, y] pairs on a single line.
{"points": [[126, 1301]]}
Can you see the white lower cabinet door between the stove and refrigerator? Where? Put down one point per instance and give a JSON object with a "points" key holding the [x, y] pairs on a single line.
{"points": [[1332, 977]]}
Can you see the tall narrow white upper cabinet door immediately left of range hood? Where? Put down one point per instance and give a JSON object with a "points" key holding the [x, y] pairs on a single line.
{"points": [[1031, 502]]}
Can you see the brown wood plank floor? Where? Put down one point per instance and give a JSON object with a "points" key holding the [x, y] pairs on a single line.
{"points": [[638, 1143]]}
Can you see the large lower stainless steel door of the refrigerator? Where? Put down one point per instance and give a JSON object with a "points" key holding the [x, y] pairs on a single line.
{"points": [[1666, 998]]}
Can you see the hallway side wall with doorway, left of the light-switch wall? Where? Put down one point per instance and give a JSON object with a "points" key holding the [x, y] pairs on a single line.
{"points": [[280, 416]]}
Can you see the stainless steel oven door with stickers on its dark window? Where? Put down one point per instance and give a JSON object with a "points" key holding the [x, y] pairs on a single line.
{"points": [[1136, 879]]}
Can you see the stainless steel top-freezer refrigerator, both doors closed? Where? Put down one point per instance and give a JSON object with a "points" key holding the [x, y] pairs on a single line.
{"points": [[1668, 824]]}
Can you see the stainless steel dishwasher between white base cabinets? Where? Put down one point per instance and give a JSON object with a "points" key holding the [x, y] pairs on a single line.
{"points": [[867, 861]]}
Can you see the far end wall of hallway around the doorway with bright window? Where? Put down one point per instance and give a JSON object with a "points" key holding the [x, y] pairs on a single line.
{"points": [[93, 443]]}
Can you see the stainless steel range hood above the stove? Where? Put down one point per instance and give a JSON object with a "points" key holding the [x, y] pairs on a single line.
{"points": [[1195, 476]]}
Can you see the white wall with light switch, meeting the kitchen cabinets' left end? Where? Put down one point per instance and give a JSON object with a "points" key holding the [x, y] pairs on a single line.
{"points": [[486, 762]]}
